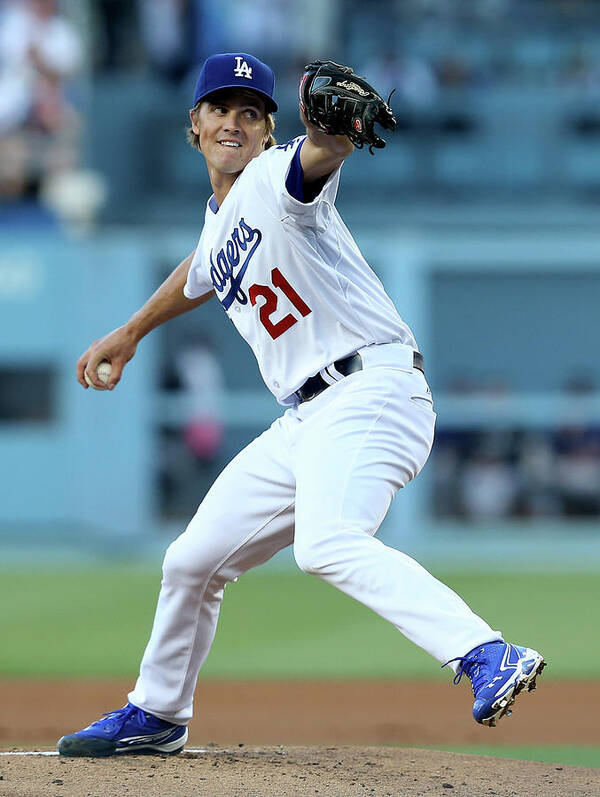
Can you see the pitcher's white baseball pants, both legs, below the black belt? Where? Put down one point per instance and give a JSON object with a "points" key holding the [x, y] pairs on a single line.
{"points": [[321, 477]]}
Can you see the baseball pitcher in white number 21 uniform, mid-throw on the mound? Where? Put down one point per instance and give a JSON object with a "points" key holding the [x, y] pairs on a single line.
{"points": [[359, 418]]}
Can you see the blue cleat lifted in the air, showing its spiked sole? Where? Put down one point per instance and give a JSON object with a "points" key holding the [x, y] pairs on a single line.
{"points": [[498, 672]]}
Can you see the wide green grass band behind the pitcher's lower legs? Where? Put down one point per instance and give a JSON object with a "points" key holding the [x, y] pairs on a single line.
{"points": [[95, 621]]}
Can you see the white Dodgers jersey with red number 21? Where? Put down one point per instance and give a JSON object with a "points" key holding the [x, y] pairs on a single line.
{"points": [[290, 276]]}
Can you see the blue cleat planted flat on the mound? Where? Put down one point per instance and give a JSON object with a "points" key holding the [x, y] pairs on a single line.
{"points": [[127, 730]]}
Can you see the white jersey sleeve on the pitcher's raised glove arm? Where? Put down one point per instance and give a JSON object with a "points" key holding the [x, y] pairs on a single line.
{"points": [[280, 175]]}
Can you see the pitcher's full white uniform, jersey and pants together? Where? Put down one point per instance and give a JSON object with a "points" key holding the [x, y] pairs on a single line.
{"points": [[322, 477]]}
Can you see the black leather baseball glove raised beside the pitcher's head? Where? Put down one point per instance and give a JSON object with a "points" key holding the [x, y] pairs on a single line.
{"points": [[340, 103]]}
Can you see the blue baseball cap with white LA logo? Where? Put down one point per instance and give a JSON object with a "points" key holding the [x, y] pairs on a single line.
{"points": [[236, 70]]}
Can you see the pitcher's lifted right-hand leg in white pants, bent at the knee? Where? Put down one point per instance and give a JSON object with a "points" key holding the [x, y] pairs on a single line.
{"points": [[351, 460]]}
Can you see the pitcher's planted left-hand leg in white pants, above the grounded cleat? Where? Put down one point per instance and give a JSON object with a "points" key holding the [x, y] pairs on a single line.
{"points": [[246, 517]]}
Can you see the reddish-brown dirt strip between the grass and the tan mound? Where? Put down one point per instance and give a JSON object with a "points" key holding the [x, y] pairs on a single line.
{"points": [[326, 713]]}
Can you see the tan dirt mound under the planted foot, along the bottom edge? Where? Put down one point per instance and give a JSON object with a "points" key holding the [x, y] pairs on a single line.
{"points": [[282, 771]]}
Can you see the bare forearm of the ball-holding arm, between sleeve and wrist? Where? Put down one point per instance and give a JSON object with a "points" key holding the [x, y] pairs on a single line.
{"points": [[167, 302]]}
